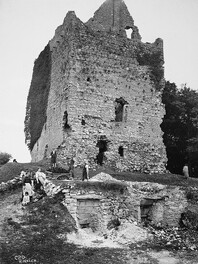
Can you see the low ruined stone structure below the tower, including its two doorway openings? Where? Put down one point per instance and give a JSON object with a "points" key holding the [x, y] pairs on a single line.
{"points": [[103, 204]]}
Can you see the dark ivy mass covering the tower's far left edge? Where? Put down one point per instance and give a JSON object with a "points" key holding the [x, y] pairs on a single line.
{"points": [[38, 97]]}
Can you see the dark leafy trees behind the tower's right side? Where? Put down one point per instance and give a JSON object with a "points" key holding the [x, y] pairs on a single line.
{"points": [[180, 127]]}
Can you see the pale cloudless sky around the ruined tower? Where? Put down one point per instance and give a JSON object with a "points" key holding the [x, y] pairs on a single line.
{"points": [[26, 26]]}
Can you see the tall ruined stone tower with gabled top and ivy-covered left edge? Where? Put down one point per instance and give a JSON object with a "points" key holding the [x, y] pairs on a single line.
{"points": [[96, 94]]}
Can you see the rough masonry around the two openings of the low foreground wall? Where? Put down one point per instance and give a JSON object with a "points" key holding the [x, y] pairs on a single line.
{"points": [[124, 204]]}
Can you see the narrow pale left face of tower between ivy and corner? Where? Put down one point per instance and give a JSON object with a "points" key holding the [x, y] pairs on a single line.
{"points": [[60, 94]]}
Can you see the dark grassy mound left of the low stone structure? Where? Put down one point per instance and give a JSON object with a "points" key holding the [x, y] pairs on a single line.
{"points": [[40, 237]]}
